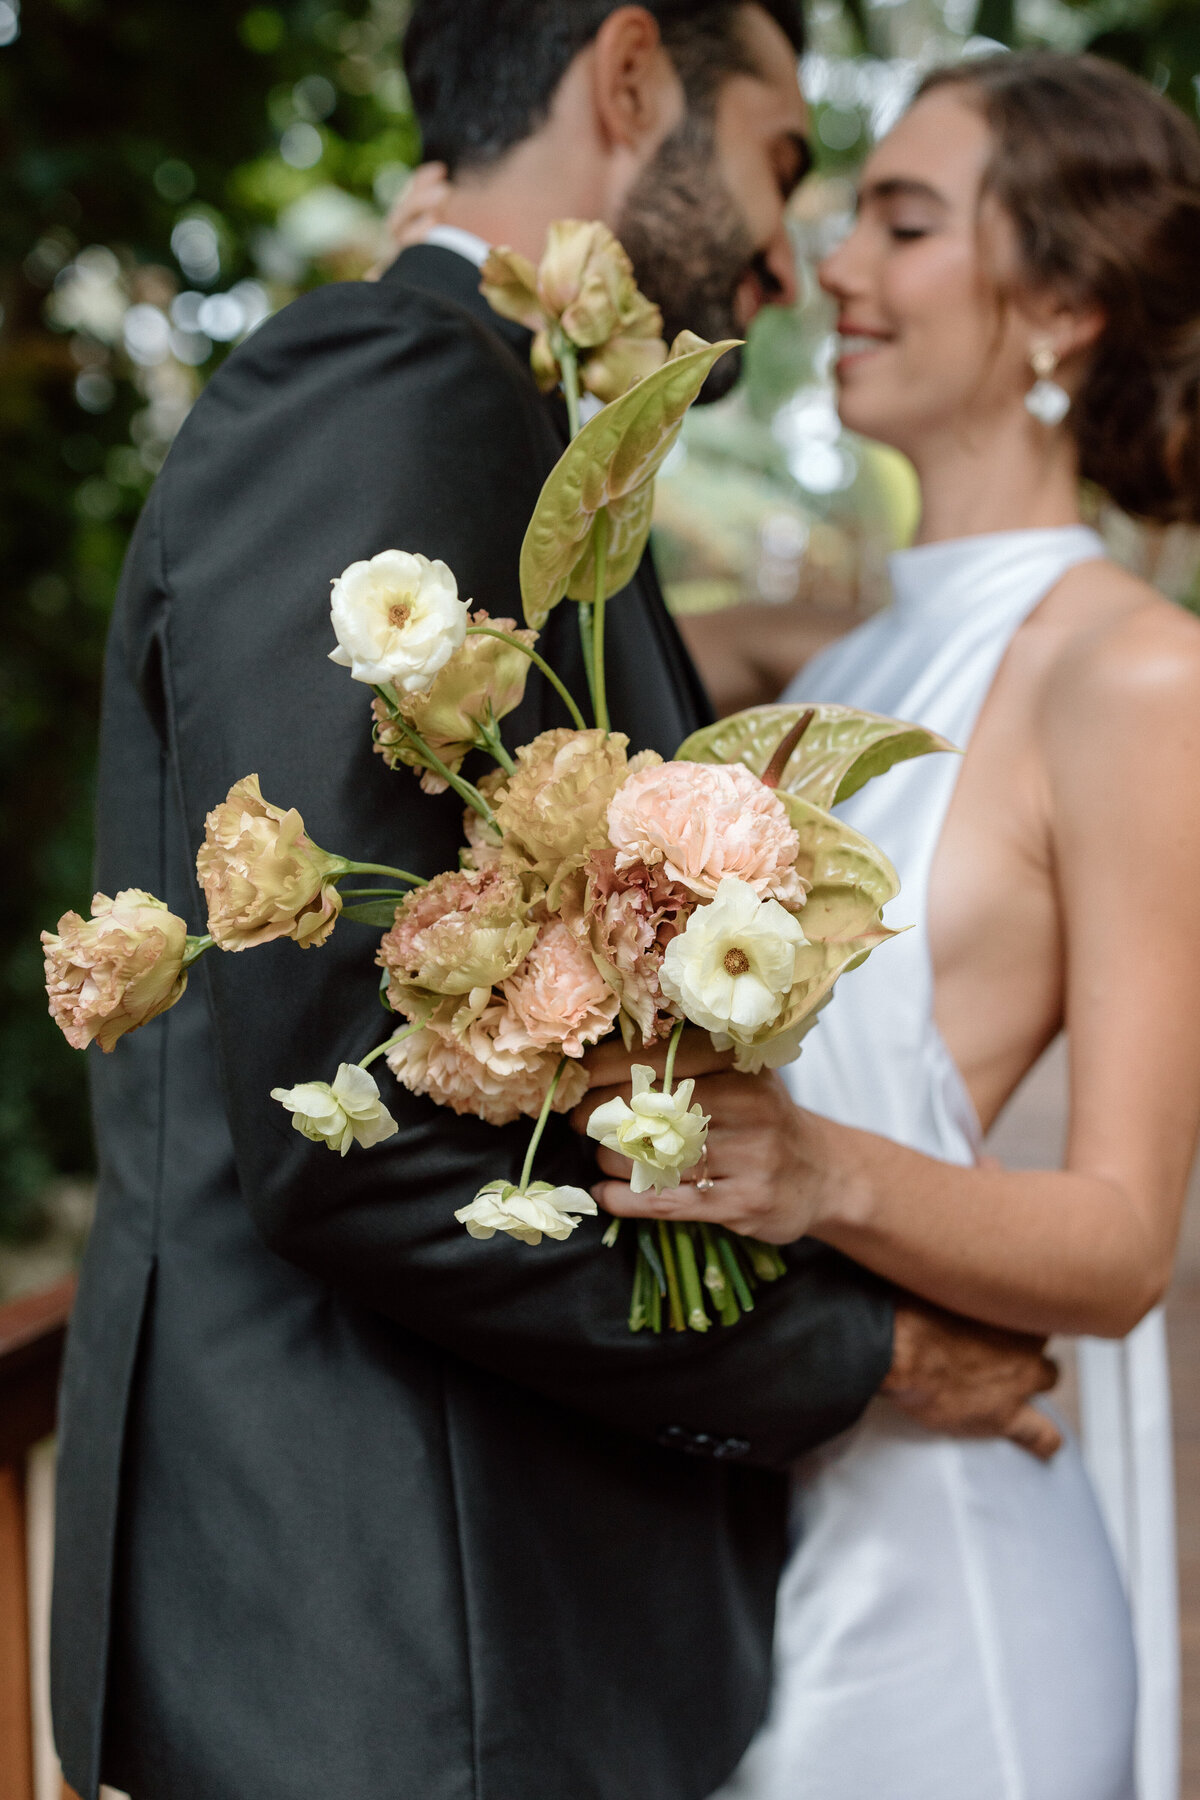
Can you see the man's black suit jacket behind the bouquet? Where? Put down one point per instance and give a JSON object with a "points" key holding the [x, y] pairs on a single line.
{"points": [[352, 1504]]}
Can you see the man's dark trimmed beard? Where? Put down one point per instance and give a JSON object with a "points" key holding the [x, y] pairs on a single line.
{"points": [[690, 244]]}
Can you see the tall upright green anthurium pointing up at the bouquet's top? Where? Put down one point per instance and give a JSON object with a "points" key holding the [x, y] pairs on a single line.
{"points": [[611, 465]]}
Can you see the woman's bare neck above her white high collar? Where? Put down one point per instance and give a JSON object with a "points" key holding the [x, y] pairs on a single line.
{"points": [[1003, 476]]}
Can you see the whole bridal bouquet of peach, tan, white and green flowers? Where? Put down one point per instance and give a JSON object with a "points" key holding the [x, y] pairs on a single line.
{"points": [[600, 890]]}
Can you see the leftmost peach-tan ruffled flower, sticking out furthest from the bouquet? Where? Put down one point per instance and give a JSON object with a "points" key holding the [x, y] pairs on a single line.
{"points": [[116, 971]]}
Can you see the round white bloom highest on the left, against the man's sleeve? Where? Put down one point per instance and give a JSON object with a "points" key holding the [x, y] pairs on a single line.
{"points": [[399, 620]]}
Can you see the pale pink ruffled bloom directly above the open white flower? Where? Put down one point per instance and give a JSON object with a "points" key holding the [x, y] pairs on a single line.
{"points": [[704, 823]]}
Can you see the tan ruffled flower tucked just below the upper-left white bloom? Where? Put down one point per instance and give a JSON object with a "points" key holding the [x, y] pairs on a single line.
{"points": [[481, 685]]}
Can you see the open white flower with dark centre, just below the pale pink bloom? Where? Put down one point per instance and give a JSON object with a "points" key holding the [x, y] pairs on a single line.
{"points": [[733, 967]]}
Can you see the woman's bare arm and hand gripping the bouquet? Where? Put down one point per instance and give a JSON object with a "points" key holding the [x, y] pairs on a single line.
{"points": [[1088, 1248]]}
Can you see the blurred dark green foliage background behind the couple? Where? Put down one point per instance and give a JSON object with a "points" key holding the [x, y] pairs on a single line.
{"points": [[280, 134]]}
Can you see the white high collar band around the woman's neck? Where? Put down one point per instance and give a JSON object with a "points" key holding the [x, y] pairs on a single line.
{"points": [[931, 579]]}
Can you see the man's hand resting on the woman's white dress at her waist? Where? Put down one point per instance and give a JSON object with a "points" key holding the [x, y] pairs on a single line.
{"points": [[969, 1380]]}
